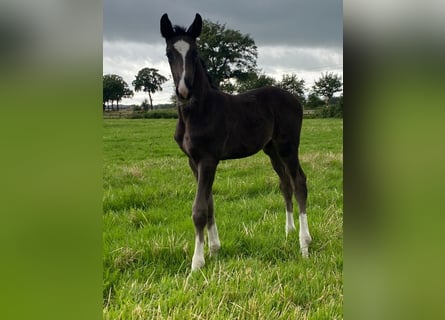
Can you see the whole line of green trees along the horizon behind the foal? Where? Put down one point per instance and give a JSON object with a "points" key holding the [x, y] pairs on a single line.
{"points": [[230, 58]]}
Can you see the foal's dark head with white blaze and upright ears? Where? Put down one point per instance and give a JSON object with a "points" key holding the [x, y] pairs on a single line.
{"points": [[182, 54]]}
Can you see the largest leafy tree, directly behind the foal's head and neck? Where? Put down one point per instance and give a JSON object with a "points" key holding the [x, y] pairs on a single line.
{"points": [[228, 53]]}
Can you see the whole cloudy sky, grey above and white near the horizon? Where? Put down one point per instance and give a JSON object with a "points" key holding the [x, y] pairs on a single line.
{"points": [[304, 37]]}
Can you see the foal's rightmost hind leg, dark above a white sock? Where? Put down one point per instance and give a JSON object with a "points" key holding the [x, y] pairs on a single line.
{"points": [[299, 185]]}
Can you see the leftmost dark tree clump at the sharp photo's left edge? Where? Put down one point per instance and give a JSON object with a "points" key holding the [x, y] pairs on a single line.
{"points": [[114, 89]]}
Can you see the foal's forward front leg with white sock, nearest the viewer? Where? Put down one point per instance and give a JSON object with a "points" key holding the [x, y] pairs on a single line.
{"points": [[200, 213]]}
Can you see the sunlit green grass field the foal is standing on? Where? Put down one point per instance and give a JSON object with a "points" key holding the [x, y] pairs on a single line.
{"points": [[148, 234]]}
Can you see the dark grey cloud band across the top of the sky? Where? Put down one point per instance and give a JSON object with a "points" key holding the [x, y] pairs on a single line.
{"points": [[306, 23]]}
